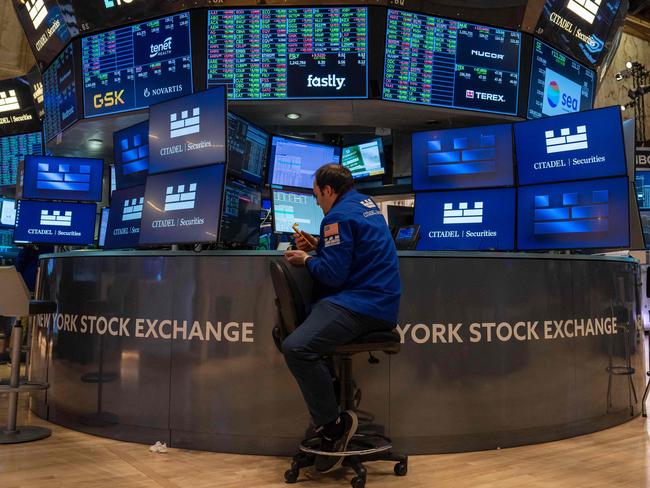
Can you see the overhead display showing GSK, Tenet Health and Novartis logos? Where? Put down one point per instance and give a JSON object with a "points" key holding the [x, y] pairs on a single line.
{"points": [[137, 66]]}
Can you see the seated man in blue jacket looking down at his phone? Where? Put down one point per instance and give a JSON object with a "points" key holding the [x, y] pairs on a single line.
{"points": [[357, 285]]}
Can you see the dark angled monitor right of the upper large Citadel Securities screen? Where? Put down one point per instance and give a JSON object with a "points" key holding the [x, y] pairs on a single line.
{"points": [[248, 147]]}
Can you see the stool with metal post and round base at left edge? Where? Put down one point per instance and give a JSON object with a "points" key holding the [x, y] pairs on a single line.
{"points": [[15, 302]]}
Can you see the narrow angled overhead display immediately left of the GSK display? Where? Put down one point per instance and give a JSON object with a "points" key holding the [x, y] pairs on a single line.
{"points": [[60, 94]]}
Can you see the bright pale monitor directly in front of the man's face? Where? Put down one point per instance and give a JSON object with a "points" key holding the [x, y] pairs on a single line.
{"points": [[290, 207]]}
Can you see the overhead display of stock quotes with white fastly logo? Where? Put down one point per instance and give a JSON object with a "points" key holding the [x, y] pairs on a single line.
{"points": [[289, 52]]}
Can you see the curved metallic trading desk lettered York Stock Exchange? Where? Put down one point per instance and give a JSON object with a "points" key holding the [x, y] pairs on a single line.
{"points": [[499, 350]]}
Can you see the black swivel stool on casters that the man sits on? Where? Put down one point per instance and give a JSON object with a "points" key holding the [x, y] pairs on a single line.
{"points": [[365, 445]]}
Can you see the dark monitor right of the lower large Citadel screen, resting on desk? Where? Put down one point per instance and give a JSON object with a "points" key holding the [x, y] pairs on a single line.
{"points": [[240, 222]]}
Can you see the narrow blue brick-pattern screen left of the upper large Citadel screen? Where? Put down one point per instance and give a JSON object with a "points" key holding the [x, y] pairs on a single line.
{"points": [[131, 151]]}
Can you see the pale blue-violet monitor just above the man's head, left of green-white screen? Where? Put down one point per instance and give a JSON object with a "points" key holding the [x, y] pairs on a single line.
{"points": [[294, 162]]}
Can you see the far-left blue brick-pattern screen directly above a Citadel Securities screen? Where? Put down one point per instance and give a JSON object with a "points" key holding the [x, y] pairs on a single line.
{"points": [[63, 178]]}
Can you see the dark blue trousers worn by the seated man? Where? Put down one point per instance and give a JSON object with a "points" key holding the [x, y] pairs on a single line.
{"points": [[327, 326]]}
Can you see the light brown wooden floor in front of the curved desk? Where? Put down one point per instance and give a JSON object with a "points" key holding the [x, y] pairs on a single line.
{"points": [[618, 457]]}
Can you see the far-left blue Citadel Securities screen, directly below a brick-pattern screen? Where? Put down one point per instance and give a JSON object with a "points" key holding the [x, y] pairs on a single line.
{"points": [[55, 223]]}
